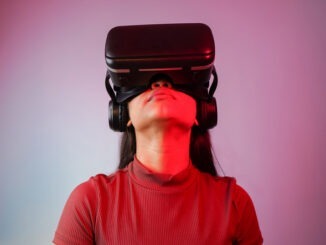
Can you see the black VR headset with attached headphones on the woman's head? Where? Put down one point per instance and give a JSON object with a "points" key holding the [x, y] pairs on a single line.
{"points": [[138, 55]]}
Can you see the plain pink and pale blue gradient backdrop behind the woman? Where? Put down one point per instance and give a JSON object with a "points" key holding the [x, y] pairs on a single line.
{"points": [[270, 56]]}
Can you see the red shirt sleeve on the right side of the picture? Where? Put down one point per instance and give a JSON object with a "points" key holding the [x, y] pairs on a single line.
{"points": [[247, 229]]}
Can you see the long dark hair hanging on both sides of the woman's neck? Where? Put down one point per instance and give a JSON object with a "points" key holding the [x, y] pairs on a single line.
{"points": [[200, 149]]}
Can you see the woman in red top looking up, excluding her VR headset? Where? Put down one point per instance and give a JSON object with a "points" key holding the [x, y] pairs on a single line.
{"points": [[166, 190]]}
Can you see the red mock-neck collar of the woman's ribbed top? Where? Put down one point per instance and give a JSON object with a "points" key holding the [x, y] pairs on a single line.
{"points": [[161, 182]]}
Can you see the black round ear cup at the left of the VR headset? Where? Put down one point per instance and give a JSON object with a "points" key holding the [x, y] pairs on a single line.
{"points": [[118, 116]]}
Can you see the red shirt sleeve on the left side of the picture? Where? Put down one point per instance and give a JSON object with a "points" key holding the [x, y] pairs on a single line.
{"points": [[76, 225]]}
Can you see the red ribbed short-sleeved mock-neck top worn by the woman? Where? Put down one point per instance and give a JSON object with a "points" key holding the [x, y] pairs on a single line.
{"points": [[136, 206]]}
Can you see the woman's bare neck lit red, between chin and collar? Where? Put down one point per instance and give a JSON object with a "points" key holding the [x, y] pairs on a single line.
{"points": [[164, 151]]}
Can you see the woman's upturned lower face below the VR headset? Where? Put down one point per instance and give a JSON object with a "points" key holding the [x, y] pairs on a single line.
{"points": [[161, 105]]}
